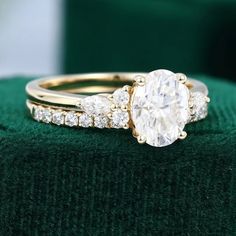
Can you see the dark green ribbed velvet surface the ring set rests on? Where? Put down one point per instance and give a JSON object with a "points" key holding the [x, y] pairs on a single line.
{"points": [[65, 181]]}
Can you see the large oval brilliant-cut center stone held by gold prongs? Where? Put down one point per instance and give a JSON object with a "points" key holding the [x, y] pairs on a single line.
{"points": [[160, 108]]}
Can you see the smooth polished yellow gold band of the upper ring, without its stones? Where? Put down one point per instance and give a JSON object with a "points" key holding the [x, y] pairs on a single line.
{"points": [[43, 90]]}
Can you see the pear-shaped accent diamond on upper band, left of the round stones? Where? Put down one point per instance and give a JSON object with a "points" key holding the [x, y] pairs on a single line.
{"points": [[96, 105]]}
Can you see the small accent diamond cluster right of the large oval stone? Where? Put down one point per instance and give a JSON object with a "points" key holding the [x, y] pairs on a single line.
{"points": [[200, 105]]}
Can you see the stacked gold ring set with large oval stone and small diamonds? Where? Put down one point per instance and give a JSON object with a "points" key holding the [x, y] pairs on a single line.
{"points": [[156, 106]]}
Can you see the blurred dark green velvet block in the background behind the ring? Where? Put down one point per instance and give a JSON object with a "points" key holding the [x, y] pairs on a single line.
{"points": [[193, 36]]}
